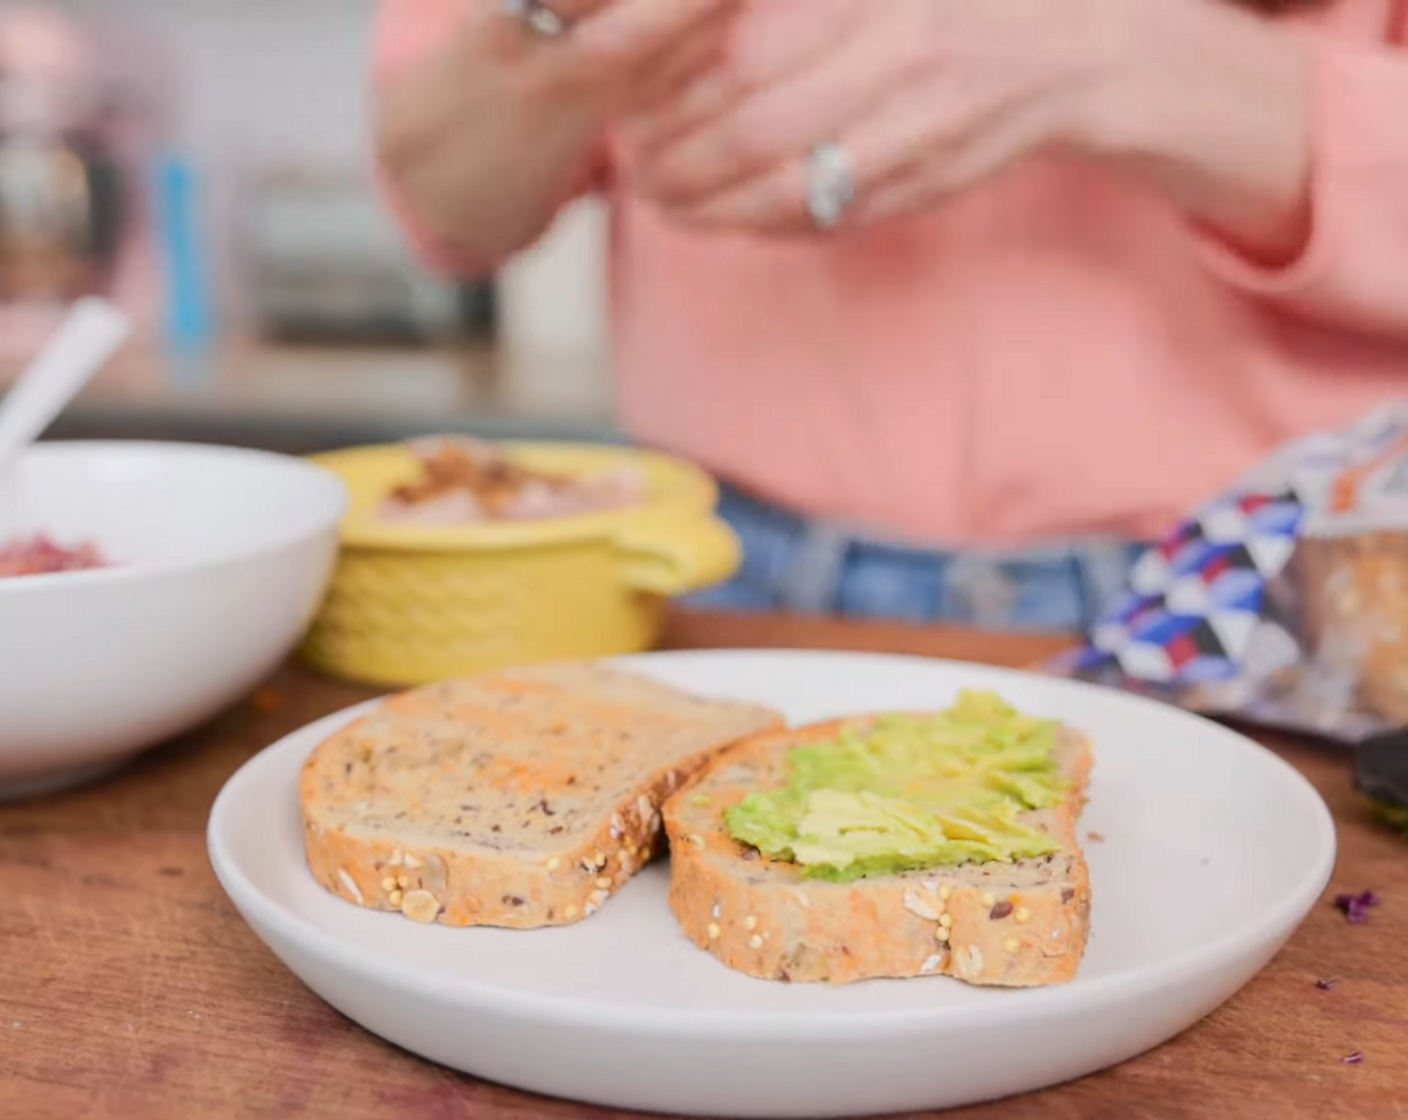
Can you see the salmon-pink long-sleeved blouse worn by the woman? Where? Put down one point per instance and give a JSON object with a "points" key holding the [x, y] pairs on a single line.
{"points": [[1054, 356]]}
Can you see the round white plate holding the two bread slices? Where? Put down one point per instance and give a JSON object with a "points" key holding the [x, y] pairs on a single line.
{"points": [[1214, 852]]}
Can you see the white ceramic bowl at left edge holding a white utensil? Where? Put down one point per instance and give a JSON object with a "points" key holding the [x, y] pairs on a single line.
{"points": [[219, 560]]}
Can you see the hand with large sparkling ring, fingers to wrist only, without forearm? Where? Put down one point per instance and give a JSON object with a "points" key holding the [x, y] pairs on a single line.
{"points": [[927, 98]]}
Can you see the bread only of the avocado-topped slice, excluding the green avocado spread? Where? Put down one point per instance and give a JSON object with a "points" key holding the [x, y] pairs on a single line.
{"points": [[1009, 925]]}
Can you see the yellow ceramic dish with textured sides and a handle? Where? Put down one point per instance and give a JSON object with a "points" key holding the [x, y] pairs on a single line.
{"points": [[410, 605]]}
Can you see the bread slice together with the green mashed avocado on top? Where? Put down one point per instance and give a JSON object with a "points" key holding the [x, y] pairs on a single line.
{"points": [[891, 846]]}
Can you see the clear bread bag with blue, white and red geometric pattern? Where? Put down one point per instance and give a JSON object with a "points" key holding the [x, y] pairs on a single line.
{"points": [[1283, 602]]}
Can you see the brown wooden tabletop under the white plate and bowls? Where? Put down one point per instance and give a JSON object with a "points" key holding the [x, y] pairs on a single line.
{"points": [[132, 990]]}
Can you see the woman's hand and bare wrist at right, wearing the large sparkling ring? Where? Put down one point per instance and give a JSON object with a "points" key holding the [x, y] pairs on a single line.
{"points": [[930, 98]]}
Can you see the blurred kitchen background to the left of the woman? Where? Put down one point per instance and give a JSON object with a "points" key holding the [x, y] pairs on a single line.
{"points": [[205, 164]]}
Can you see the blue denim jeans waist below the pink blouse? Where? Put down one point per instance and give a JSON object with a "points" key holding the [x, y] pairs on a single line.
{"points": [[792, 564]]}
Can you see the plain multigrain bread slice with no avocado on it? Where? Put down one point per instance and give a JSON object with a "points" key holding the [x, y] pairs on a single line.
{"points": [[522, 798]]}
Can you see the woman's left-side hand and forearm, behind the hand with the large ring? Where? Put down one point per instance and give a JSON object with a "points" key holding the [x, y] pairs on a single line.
{"points": [[488, 127]]}
